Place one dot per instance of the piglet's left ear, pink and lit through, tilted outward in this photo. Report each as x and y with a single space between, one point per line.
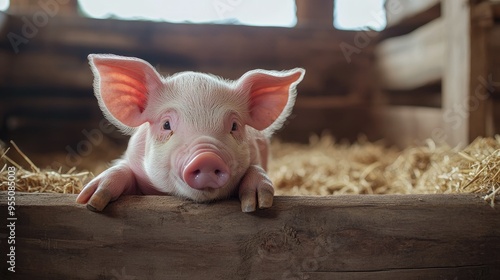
122 86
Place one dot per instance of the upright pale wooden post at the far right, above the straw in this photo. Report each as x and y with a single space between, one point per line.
466 102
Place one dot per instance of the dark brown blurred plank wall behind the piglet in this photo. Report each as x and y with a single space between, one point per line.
45 80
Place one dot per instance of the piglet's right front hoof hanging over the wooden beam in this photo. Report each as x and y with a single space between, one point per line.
256 189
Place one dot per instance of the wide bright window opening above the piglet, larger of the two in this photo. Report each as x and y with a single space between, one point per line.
254 12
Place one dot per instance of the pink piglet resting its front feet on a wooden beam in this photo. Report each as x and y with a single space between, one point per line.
194 135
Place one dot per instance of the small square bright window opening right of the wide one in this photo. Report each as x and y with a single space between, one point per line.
359 15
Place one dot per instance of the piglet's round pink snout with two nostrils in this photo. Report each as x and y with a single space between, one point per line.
206 170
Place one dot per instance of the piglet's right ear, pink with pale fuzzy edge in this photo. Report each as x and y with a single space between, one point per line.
271 96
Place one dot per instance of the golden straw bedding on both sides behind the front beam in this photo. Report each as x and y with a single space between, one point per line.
325 167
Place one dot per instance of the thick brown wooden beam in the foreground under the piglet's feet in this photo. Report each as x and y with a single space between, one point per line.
340 237
